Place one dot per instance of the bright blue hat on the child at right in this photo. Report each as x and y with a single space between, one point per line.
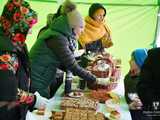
139 56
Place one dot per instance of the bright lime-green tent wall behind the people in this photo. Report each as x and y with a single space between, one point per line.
133 23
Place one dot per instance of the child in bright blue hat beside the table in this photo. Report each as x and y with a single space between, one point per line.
130 82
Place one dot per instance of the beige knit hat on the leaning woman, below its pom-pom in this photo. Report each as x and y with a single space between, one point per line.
75 19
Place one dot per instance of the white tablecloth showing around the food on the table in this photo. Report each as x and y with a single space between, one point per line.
124 111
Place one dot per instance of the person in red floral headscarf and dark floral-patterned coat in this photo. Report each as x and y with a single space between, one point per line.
16 19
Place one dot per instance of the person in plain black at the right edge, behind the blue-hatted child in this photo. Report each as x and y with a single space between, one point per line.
148 87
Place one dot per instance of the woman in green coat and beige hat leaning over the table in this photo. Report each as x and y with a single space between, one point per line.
53 49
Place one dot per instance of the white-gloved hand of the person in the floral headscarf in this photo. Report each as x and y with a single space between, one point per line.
41 102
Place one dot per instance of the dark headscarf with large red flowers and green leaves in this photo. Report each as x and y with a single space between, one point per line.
16 20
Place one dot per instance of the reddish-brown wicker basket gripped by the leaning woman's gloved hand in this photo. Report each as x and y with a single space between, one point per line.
113 72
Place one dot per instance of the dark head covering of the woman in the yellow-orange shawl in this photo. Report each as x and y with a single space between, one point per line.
94 7
